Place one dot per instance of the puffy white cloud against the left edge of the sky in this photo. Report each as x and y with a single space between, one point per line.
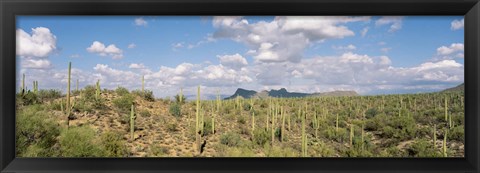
40 44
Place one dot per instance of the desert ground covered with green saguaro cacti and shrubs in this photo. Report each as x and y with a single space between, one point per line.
96 122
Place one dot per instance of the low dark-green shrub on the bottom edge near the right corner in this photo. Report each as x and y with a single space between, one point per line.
423 148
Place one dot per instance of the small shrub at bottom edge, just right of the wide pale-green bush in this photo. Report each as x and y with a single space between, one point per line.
113 144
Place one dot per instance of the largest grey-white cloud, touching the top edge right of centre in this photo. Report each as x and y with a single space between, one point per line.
284 38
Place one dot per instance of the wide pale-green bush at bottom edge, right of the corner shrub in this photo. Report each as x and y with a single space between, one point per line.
79 142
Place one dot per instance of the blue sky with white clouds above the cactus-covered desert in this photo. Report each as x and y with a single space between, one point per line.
367 54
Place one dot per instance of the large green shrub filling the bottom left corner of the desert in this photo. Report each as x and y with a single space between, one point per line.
36 134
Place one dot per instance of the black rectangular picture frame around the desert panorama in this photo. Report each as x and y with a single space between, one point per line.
10 8
